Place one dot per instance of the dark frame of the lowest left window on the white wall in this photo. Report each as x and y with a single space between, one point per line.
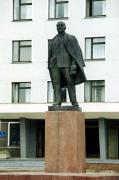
18 85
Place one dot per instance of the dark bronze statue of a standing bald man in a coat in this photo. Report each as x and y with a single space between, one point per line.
65 64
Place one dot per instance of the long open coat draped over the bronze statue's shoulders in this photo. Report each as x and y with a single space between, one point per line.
73 48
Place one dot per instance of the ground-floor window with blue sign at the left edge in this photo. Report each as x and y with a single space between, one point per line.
9 139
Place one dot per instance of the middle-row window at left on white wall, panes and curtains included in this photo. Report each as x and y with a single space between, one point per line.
21 51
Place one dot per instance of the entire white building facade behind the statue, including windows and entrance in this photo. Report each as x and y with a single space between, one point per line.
25 85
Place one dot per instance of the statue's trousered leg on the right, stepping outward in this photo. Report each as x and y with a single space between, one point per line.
70 86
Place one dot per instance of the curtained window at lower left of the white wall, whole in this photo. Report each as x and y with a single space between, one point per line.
21 92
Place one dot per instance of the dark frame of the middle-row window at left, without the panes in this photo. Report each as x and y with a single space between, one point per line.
19 47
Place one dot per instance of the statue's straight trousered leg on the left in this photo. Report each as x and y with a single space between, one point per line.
56 85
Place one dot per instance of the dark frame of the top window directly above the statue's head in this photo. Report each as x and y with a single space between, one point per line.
55 12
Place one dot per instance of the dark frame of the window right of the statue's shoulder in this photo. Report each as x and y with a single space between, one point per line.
92 43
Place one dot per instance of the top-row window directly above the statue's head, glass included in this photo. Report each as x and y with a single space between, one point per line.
58 8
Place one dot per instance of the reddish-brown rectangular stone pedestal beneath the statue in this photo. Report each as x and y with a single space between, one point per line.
64 141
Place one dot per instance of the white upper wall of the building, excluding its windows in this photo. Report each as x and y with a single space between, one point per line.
39 30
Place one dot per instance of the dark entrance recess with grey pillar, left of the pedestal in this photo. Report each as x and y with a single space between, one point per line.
32 138
